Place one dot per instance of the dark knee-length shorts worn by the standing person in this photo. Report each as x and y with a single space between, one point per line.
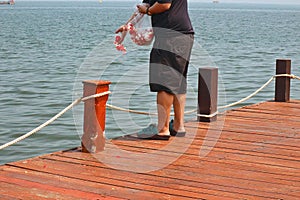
169 60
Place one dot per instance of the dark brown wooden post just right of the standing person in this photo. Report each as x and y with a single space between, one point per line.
207 94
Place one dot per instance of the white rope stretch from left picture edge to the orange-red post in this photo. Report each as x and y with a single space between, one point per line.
74 103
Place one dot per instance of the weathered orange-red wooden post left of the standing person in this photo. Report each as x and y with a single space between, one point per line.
93 139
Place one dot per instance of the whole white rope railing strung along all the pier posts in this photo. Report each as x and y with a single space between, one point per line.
82 99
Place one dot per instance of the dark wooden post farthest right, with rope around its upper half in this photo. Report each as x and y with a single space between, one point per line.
282 84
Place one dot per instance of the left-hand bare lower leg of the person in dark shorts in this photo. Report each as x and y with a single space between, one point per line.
164 105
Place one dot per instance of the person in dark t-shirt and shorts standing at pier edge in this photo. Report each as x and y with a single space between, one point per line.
169 60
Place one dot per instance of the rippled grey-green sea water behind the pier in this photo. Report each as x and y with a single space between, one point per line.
48 48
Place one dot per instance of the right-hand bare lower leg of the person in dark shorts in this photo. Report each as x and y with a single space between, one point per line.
178 105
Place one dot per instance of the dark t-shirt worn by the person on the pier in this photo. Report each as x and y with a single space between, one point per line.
176 18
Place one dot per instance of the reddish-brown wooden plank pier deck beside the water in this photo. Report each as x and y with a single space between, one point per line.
254 154
